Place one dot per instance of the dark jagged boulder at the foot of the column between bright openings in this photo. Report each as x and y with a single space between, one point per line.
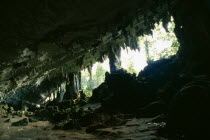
121 91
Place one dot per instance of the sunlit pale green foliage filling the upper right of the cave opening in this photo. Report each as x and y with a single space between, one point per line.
161 45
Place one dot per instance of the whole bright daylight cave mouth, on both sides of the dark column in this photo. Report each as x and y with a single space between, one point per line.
160 45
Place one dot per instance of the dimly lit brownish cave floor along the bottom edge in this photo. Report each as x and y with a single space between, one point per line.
134 128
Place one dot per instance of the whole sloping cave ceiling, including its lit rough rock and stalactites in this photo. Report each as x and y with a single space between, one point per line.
43 41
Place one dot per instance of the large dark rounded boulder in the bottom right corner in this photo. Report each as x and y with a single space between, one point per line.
189 110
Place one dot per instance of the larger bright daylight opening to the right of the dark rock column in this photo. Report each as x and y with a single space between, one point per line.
154 47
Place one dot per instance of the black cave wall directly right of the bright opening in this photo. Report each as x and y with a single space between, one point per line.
192 30
